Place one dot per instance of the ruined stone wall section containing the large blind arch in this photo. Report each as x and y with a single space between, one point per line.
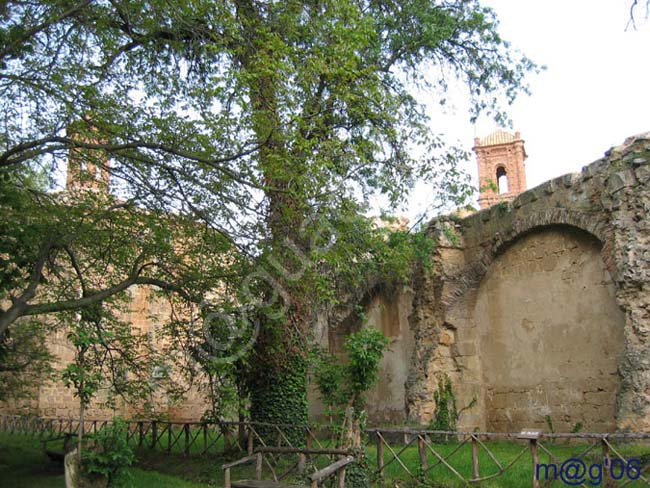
539 308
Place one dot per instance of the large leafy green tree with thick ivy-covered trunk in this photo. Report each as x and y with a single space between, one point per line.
269 122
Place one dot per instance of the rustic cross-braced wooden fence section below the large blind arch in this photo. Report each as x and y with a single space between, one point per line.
518 459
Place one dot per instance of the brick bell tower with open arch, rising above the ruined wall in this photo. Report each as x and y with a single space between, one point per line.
501 170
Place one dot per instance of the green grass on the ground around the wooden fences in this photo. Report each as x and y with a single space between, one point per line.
22 464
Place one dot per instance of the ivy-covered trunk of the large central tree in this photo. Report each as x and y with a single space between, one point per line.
278 377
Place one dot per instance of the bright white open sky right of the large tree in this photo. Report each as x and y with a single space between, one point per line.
594 93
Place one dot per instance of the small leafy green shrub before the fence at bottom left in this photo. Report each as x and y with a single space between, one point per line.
111 454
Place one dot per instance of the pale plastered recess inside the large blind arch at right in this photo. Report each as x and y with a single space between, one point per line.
550 334
